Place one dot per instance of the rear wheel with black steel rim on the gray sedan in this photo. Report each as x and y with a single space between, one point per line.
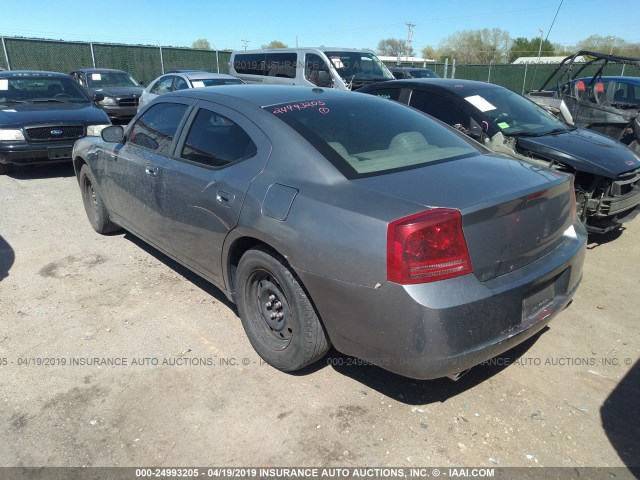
266 289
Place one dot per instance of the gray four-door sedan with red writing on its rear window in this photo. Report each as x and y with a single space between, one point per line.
335 218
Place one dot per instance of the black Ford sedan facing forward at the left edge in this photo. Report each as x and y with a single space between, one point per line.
42 114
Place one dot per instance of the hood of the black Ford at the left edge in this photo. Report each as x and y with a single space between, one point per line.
51 113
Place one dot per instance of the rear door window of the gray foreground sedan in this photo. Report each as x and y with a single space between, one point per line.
216 141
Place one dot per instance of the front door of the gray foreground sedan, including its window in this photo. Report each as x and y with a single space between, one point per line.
134 168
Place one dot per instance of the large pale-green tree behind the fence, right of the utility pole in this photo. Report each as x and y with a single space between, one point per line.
477 46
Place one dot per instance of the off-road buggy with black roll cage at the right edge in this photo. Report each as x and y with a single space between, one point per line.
587 94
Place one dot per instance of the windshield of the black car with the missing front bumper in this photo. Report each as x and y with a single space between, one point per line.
510 113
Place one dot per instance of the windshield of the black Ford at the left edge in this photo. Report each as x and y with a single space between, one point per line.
36 89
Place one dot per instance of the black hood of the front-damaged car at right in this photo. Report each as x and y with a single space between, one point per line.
585 150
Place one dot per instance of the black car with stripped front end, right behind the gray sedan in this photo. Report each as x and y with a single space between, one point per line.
606 173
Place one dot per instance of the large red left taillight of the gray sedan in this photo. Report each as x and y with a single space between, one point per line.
427 247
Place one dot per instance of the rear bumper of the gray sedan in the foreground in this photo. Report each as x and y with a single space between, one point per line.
440 329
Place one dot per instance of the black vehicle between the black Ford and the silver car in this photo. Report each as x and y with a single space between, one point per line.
121 92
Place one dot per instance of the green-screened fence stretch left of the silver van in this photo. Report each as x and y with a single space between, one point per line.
143 62
